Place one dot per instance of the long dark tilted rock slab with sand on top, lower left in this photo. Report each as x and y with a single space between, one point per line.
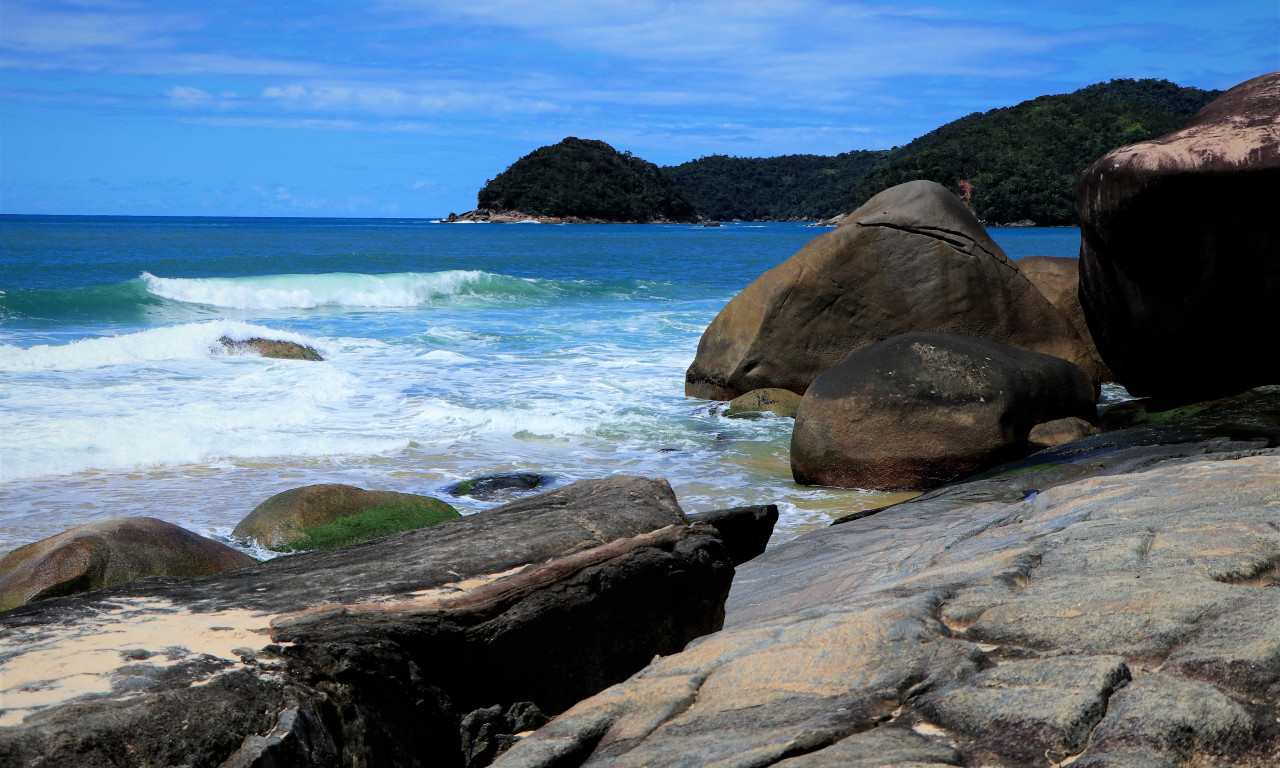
367 656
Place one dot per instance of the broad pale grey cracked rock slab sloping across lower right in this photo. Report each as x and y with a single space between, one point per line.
1113 609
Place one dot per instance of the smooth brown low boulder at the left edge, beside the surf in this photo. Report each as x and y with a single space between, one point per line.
107 554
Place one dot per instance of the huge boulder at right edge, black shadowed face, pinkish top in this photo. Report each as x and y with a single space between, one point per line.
1181 252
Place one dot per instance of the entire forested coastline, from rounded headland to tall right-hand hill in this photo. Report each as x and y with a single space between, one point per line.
1013 166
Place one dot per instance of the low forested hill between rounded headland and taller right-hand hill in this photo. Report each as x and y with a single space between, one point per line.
772 189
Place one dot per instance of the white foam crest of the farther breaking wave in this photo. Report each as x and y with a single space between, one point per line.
341 290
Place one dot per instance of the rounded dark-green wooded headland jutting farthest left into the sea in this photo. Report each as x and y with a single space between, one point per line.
588 180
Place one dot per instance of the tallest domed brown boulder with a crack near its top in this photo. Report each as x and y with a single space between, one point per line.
912 259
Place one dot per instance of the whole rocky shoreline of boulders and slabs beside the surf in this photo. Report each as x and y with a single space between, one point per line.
1075 587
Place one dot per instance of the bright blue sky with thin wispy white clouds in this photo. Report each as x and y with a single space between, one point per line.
404 108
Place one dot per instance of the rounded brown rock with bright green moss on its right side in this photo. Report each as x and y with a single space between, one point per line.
332 515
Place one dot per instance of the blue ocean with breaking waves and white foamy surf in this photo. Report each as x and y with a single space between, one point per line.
451 351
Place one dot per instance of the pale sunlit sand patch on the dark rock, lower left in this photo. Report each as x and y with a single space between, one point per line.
54 665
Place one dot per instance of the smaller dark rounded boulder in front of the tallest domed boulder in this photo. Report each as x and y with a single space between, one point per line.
925 409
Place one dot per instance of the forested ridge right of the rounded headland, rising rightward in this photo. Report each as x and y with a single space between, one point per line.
1012 164
